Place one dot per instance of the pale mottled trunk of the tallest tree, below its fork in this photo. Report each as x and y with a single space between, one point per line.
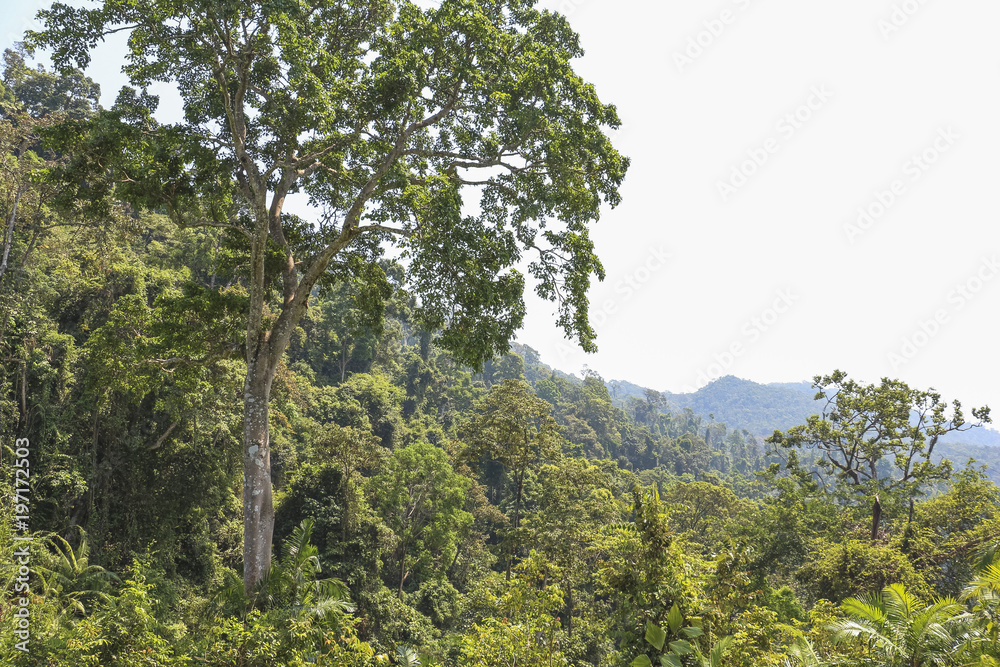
258 509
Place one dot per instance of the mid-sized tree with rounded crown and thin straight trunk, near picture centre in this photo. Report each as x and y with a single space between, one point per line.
514 428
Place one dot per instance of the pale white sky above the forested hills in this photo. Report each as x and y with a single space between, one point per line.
813 187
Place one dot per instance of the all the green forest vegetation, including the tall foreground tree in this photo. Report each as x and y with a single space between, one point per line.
434 503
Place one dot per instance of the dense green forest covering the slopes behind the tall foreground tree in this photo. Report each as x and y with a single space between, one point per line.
434 502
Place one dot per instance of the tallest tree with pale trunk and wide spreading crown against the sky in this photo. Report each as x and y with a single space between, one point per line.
386 114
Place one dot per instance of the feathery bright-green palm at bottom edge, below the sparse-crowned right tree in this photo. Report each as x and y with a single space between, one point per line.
897 630
